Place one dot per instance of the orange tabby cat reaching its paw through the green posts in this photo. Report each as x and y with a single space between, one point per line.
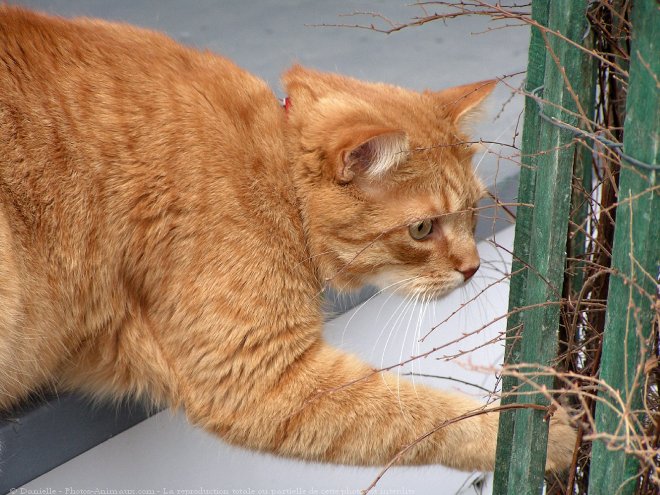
166 229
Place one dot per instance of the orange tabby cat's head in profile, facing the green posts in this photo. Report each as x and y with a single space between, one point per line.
385 180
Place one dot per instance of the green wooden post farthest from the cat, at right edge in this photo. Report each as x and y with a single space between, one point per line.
637 237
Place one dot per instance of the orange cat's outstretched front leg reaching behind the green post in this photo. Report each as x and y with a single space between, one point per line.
328 406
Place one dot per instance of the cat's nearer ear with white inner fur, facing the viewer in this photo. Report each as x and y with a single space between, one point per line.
370 152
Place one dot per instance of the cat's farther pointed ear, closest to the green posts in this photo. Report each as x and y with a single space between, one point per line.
461 104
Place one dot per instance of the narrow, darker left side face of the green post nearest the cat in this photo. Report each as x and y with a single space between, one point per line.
530 142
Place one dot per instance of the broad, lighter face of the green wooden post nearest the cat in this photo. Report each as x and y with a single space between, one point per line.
547 239
